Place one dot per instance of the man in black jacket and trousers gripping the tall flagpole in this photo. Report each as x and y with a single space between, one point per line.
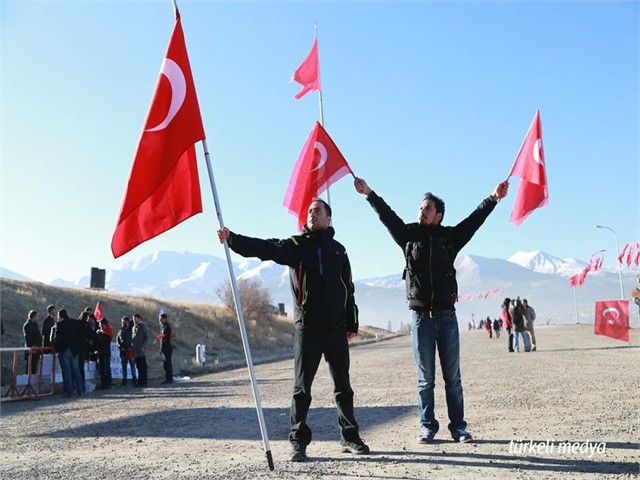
325 315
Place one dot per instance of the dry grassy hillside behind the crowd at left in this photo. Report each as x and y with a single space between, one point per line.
193 323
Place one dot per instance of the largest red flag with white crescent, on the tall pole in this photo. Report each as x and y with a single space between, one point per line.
164 187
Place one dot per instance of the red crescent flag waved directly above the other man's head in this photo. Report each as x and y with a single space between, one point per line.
319 165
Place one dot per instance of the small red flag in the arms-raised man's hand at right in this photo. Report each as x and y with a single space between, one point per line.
530 167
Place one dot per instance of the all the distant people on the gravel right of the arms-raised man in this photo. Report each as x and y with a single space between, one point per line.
517 318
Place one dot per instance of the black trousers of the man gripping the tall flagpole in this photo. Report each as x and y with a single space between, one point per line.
308 349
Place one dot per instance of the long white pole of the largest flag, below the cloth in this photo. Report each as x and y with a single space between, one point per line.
243 329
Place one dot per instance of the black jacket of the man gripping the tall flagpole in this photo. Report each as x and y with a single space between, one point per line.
319 272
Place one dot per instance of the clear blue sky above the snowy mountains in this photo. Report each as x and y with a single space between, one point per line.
419 96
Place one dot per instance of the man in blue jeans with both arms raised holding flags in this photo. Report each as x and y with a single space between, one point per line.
430 250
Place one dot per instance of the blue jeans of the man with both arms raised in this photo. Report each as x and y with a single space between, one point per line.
427 334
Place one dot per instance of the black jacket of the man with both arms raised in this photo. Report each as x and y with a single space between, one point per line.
430 252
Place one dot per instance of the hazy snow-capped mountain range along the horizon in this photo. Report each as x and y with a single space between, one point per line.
537 276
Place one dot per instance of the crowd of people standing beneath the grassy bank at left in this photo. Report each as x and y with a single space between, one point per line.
89 339
